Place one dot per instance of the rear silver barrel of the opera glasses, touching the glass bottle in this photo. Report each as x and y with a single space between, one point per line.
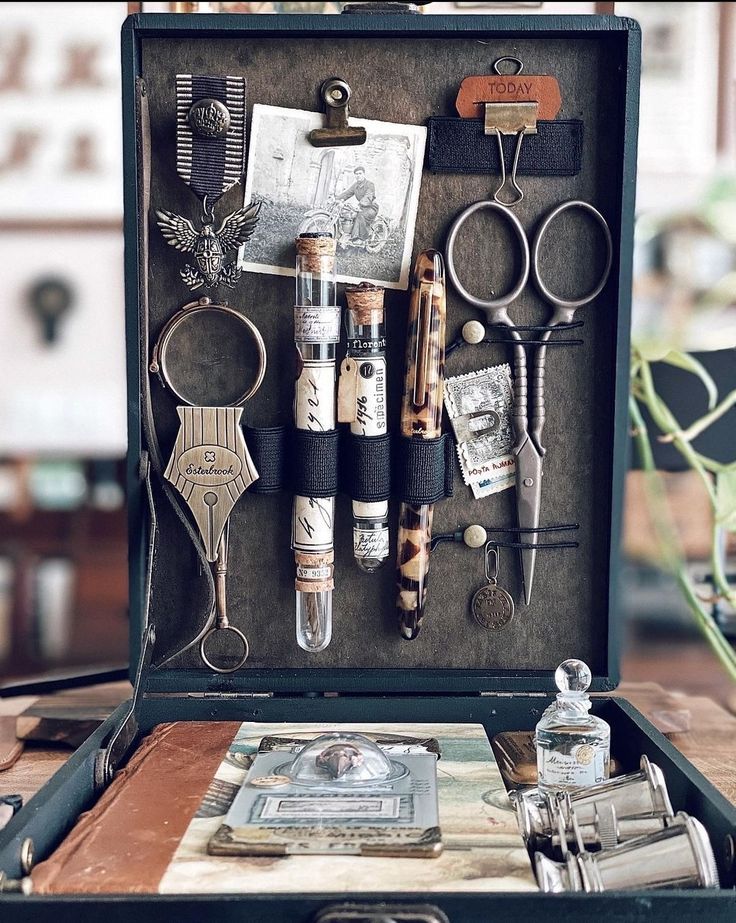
601 815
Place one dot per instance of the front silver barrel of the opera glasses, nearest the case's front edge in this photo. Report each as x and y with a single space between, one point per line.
678 856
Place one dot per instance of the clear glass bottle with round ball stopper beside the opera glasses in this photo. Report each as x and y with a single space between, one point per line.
573 746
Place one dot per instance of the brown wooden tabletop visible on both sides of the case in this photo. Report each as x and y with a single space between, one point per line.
703 731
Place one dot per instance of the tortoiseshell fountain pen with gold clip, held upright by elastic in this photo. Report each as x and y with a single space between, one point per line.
421 416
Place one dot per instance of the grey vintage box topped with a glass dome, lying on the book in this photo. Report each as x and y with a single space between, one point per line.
339 793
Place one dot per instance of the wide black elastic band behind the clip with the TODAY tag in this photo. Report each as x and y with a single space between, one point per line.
462 146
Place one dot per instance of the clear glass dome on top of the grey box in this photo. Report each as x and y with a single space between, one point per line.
342 760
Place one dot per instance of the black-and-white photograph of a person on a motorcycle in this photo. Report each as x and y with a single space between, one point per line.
367 195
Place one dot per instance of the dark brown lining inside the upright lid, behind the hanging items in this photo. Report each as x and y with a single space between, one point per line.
406 80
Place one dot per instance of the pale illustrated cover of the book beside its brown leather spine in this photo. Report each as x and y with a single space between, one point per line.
483 849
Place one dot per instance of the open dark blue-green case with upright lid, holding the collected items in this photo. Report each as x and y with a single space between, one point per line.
401 68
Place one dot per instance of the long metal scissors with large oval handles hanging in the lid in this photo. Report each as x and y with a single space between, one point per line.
528 408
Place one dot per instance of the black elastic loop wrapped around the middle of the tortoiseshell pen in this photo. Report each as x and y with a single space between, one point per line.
424 469
